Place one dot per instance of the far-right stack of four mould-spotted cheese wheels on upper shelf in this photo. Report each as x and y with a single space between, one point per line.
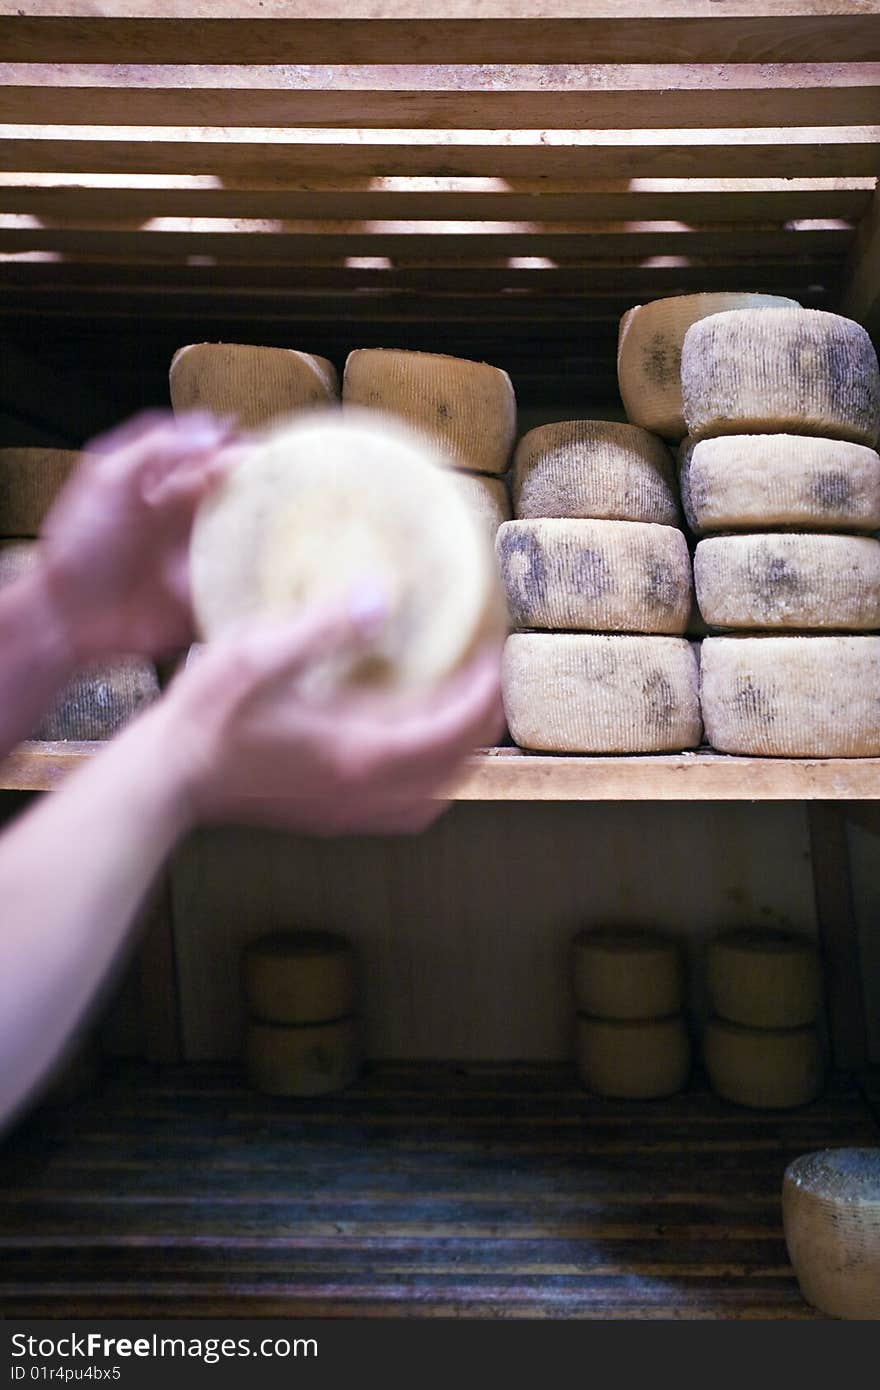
782 479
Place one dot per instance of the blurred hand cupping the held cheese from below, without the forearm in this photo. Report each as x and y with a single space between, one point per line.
254 749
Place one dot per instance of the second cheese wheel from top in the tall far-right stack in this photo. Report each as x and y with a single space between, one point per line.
753 483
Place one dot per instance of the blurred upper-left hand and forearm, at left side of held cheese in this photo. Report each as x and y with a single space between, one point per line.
111 576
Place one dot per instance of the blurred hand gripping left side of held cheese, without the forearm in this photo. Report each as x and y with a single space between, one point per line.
116 544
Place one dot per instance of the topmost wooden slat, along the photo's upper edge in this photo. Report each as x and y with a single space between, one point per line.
359 31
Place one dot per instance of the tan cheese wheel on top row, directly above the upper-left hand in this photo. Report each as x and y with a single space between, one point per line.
258 386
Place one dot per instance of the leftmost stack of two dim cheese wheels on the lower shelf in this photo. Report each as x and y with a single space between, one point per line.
302 1036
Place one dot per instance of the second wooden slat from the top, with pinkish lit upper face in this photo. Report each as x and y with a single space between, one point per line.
523 97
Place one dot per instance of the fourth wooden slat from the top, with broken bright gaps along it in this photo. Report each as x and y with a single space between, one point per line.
79 198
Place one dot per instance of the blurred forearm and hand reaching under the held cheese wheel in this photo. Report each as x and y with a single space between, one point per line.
231 740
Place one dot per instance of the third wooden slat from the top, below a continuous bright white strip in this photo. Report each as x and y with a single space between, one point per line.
799 152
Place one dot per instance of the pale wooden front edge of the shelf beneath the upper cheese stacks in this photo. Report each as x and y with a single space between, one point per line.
510 775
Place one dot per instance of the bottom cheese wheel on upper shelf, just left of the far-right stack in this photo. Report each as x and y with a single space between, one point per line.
571 693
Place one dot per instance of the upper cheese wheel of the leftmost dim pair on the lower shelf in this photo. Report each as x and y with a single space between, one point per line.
300 978
